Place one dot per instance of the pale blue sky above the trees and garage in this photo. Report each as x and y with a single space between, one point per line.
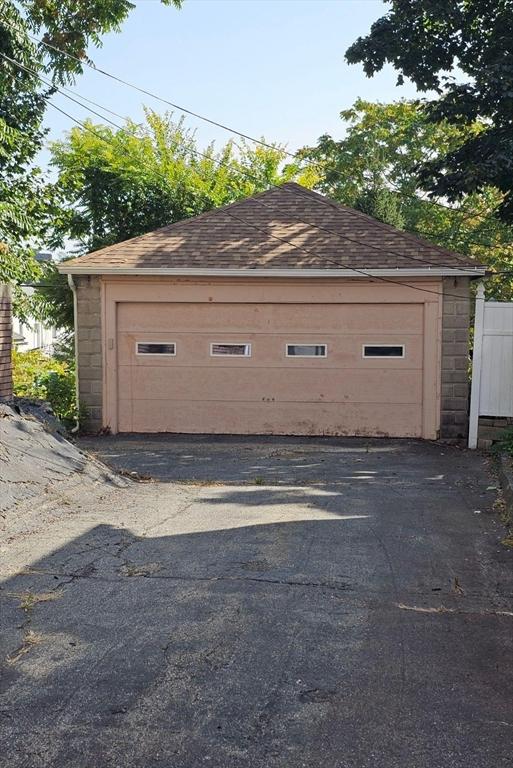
272 68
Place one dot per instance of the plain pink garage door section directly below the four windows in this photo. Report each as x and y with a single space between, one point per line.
220 384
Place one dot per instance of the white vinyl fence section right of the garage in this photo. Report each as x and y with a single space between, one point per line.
492 367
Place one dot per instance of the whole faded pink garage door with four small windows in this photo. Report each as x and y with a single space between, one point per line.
268 392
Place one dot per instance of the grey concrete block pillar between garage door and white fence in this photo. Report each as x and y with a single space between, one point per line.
455 361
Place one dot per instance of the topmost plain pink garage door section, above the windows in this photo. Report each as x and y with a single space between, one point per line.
278 318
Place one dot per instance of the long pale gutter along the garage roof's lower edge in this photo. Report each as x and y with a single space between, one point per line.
299 273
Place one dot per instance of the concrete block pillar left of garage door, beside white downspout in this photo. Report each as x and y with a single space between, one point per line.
90 350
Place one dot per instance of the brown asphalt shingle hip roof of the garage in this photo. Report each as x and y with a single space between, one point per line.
287 227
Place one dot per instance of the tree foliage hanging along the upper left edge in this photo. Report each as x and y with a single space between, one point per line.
27 203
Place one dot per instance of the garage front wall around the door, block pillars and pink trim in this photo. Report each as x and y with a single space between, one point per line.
97 295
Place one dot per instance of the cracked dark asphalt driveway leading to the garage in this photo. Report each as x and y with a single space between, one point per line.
266 603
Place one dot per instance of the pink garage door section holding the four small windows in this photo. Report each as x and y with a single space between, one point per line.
343 350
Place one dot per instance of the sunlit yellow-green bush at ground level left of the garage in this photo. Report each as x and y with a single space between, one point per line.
38 376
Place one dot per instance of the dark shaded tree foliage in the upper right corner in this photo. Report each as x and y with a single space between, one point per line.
425 40
